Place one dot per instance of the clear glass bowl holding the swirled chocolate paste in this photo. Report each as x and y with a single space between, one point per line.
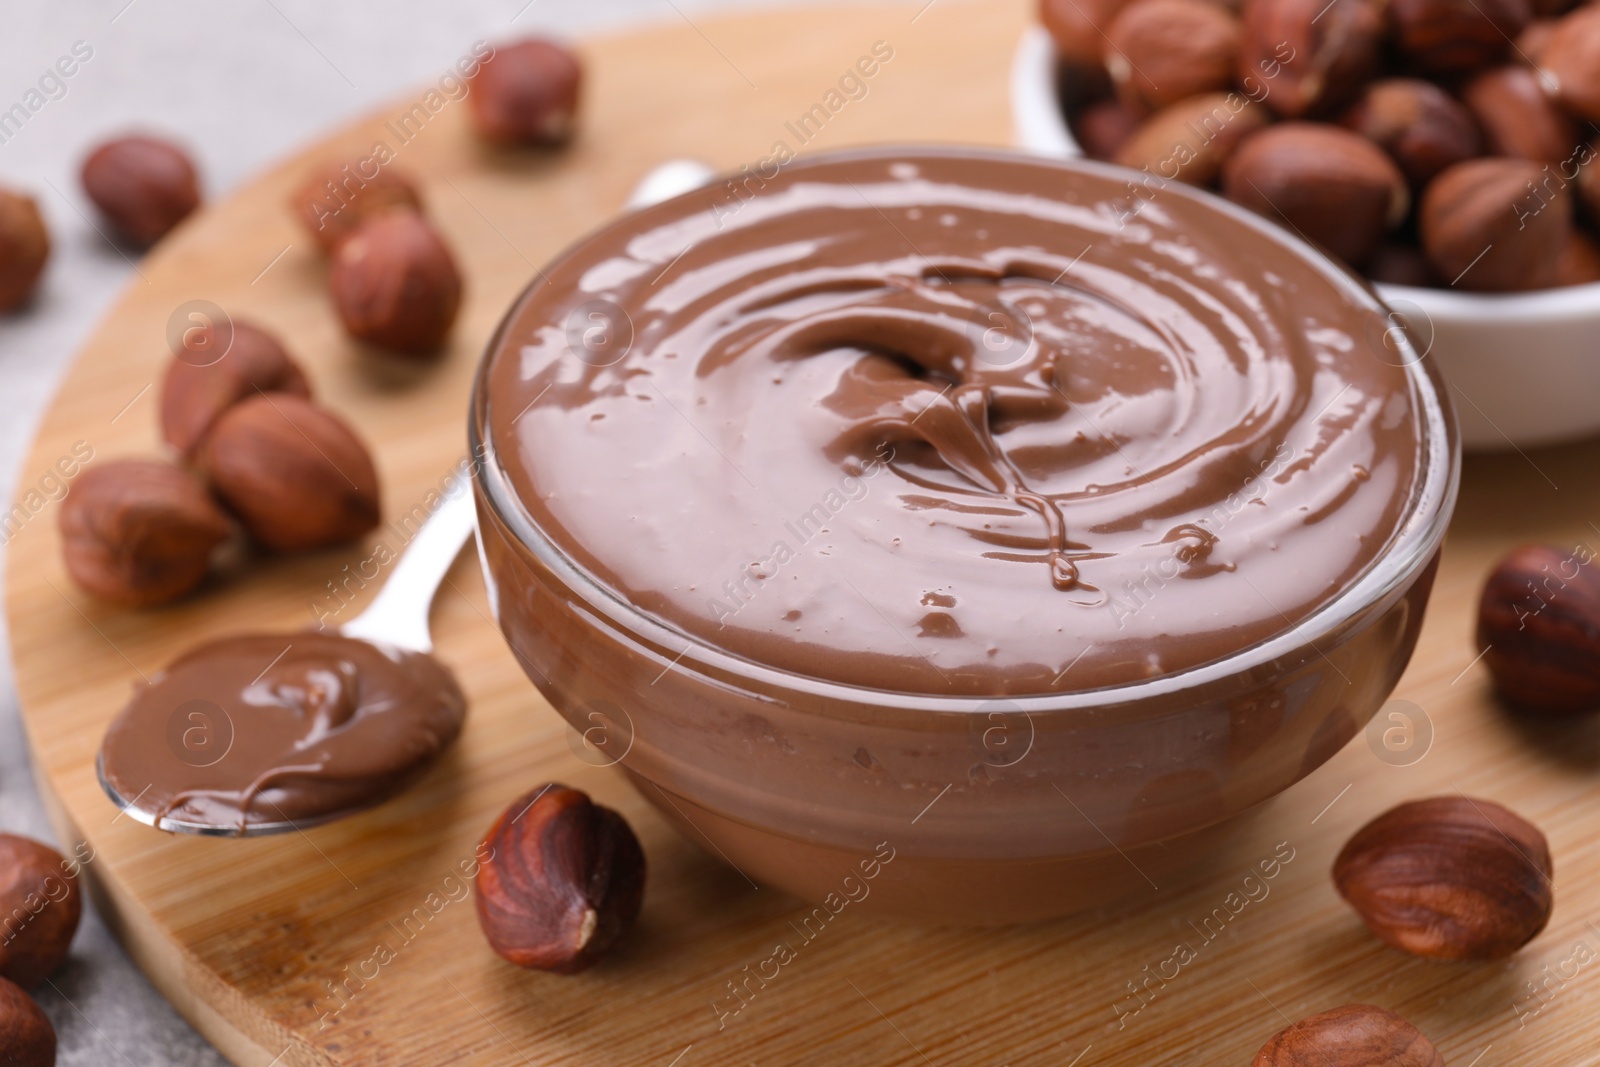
961 810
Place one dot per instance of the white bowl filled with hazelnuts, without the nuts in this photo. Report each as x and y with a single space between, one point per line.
1524 369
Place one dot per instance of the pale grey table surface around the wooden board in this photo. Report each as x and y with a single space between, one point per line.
244 84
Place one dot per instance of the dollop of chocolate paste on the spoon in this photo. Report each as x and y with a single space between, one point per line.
281 727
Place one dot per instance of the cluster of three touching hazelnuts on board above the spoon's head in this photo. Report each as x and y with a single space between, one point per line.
255 454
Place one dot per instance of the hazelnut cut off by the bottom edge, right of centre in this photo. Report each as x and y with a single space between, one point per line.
1356 1036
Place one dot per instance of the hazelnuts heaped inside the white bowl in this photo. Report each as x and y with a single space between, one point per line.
1439 143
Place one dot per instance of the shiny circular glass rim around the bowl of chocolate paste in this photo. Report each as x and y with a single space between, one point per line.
1412 546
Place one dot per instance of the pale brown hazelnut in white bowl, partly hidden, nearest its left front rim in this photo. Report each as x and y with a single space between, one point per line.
1191 140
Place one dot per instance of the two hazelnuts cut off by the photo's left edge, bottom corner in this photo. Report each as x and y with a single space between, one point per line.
41 906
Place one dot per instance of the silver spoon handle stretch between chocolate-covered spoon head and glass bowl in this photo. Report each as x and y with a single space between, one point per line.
399 613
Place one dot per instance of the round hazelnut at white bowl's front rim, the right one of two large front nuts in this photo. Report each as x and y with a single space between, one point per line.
1495 225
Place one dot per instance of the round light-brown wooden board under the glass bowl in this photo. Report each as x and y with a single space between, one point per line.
354 943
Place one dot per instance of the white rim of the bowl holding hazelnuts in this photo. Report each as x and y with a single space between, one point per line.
1042 127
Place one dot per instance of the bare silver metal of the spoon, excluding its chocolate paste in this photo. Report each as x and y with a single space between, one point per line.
399 615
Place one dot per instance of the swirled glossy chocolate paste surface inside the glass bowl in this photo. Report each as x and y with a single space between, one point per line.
934 425
